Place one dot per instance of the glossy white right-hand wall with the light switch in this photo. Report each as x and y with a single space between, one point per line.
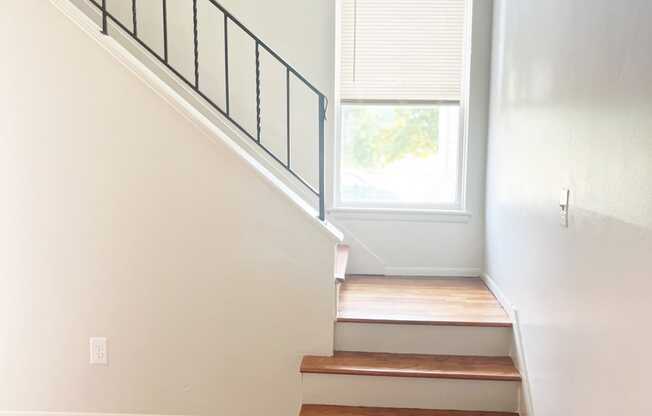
571 106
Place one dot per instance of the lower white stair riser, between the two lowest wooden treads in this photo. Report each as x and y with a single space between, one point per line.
420 393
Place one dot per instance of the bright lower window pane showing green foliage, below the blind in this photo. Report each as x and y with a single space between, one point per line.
396 155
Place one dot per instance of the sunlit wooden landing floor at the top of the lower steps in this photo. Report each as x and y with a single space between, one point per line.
419 300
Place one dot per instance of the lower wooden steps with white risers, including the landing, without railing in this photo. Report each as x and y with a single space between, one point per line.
414 346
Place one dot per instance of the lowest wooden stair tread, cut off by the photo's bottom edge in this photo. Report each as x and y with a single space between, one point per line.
327 410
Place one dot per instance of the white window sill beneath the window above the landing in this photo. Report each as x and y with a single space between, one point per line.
400 214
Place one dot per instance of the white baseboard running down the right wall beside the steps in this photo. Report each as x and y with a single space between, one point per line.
518 354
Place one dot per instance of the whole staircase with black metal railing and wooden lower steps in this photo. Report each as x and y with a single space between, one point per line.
403 346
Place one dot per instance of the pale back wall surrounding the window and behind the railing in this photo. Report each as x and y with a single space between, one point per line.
304 34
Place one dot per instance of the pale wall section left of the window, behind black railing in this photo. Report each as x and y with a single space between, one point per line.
300 32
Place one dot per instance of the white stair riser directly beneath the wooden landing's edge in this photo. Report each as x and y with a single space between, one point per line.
423 339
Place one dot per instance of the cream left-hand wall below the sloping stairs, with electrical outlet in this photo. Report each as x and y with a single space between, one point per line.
121 218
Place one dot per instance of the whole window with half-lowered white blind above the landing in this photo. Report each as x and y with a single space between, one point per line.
401 82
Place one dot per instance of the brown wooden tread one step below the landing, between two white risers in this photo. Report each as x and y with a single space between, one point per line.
413 365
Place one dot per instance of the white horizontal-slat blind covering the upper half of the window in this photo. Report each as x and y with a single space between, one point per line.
402 50
